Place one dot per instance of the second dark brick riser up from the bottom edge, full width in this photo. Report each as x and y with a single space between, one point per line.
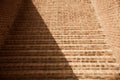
50 68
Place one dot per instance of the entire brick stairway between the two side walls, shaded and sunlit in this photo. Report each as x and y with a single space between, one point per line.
57 40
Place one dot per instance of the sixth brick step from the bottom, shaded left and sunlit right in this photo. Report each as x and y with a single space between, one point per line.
61 41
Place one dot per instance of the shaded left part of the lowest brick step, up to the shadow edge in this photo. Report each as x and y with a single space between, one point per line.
40 74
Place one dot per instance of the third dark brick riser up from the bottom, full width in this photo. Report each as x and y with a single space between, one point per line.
56 60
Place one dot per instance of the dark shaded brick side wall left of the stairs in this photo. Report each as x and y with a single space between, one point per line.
8 11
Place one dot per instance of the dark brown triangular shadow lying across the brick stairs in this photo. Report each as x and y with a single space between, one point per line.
42 45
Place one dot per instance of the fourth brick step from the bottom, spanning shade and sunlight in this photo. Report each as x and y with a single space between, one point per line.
53 53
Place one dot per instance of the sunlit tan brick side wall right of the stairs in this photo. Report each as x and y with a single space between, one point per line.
108 13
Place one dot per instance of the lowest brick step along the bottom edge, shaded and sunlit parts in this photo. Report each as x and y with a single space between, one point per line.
60 76
